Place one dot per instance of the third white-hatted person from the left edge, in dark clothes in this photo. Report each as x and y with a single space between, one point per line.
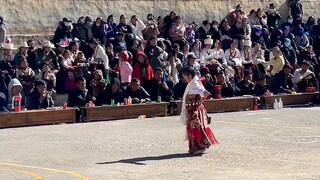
47 55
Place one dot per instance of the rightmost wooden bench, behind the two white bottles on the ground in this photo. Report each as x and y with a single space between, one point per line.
289 99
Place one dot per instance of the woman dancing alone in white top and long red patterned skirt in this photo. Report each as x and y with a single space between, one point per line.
194 114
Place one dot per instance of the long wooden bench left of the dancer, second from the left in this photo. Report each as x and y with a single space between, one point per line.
103 113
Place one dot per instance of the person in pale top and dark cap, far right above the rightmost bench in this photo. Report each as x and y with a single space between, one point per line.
304 77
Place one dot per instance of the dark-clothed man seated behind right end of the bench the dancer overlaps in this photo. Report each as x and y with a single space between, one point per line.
246 86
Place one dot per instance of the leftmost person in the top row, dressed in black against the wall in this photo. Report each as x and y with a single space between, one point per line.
63 30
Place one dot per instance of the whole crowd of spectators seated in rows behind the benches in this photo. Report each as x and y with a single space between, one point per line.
103 60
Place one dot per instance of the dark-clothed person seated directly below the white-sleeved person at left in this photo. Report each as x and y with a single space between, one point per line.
97 83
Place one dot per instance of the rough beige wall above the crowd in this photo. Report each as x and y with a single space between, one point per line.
42 16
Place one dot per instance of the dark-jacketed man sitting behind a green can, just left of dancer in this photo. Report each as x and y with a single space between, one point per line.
158 87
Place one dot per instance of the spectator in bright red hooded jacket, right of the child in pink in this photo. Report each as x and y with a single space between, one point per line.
142 69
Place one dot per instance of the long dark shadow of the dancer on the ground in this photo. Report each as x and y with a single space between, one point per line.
141 160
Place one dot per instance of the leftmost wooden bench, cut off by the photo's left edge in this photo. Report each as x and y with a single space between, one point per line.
37 117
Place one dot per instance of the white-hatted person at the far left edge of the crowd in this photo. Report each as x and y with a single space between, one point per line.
7 64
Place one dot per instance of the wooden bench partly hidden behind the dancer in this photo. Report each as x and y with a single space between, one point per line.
220 105
